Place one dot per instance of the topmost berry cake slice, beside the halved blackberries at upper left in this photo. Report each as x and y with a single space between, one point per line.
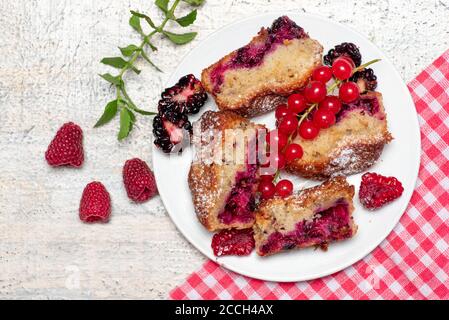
255 78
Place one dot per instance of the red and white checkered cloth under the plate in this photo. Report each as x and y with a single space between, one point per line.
412 263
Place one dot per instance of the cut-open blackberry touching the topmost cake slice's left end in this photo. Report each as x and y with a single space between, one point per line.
187 96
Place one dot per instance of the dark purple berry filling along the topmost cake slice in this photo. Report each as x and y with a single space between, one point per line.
252 55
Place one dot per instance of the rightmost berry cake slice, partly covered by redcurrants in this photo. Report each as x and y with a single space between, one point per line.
352 145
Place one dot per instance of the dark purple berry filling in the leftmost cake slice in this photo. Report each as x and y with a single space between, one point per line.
241 203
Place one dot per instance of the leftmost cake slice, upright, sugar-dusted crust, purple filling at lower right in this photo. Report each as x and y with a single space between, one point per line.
223 177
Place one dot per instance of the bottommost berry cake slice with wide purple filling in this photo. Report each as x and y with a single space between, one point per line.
313 217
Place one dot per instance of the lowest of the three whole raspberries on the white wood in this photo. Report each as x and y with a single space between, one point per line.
95 205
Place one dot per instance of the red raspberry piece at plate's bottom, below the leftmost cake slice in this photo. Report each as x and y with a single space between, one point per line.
233 242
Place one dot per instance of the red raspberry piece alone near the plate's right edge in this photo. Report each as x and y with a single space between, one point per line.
377 190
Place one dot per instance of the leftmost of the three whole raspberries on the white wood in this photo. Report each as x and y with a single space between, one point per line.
66 148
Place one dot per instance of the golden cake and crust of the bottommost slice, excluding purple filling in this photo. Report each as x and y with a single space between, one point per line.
281 215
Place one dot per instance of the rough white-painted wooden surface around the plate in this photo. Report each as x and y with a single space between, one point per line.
50 52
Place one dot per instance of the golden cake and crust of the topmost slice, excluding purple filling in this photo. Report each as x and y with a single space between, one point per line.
273 88
